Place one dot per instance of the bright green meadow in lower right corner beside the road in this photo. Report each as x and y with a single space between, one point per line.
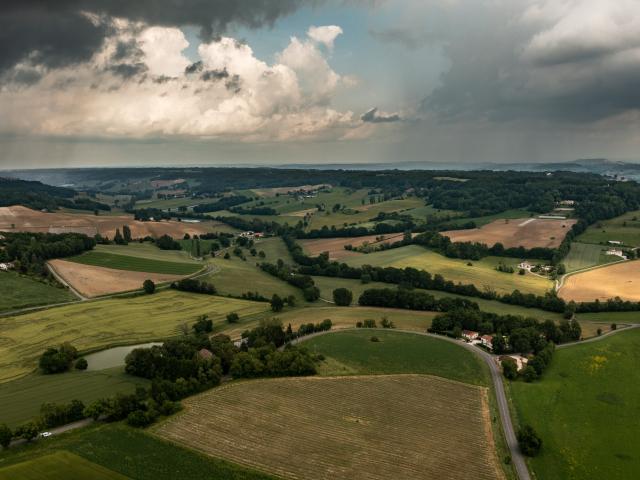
585 409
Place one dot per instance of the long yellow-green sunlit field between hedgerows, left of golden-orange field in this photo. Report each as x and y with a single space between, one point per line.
482 273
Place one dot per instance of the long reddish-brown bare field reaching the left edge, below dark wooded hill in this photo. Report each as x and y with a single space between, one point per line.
22 219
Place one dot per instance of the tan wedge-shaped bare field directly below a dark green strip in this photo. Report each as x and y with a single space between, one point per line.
92 281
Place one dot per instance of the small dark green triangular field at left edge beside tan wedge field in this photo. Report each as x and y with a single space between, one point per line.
21 292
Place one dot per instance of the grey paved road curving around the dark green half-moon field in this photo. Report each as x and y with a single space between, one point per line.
517 458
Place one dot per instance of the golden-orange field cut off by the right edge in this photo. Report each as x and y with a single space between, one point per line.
619 280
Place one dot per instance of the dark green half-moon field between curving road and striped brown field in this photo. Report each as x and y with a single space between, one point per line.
353 353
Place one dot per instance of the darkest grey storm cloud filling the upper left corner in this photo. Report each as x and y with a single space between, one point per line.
58 33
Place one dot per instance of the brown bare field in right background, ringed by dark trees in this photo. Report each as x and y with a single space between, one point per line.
519 232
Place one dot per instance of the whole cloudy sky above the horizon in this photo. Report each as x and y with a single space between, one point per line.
195 82
